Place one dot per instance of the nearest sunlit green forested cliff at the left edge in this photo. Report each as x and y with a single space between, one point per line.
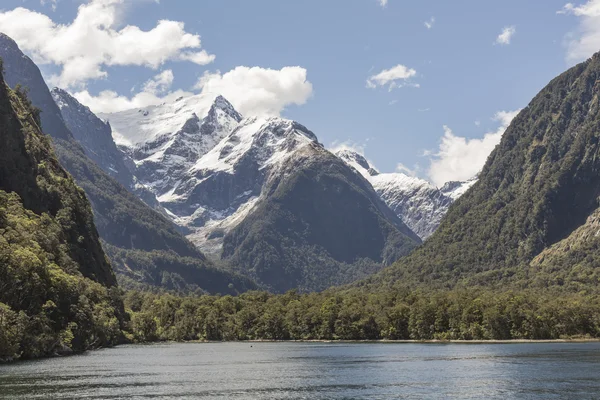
56 284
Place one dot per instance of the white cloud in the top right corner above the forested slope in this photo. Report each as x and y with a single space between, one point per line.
586 41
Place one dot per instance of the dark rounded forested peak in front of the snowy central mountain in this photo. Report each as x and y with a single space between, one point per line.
320 225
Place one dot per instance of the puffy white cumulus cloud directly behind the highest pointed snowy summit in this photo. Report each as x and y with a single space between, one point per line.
258 91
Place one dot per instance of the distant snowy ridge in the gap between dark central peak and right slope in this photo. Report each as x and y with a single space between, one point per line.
419 204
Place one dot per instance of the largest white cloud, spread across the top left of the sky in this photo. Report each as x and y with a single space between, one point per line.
91 42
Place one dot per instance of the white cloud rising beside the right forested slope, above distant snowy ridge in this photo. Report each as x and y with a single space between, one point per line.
459 158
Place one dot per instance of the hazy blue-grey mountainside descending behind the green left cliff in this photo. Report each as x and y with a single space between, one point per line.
145 247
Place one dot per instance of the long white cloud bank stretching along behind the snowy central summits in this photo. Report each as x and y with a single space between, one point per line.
252 91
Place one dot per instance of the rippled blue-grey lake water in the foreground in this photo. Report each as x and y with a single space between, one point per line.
313 371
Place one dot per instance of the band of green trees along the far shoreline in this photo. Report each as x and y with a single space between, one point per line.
360 315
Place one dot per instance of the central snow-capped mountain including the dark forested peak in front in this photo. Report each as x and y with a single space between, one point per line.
221 176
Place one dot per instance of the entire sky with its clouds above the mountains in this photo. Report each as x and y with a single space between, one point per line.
426 88
